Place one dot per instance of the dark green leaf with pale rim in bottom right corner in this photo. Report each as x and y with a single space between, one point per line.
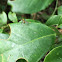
55 55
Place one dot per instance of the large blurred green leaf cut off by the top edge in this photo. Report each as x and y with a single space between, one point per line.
28 6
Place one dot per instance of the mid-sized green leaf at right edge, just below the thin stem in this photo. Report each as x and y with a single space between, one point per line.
54 20
